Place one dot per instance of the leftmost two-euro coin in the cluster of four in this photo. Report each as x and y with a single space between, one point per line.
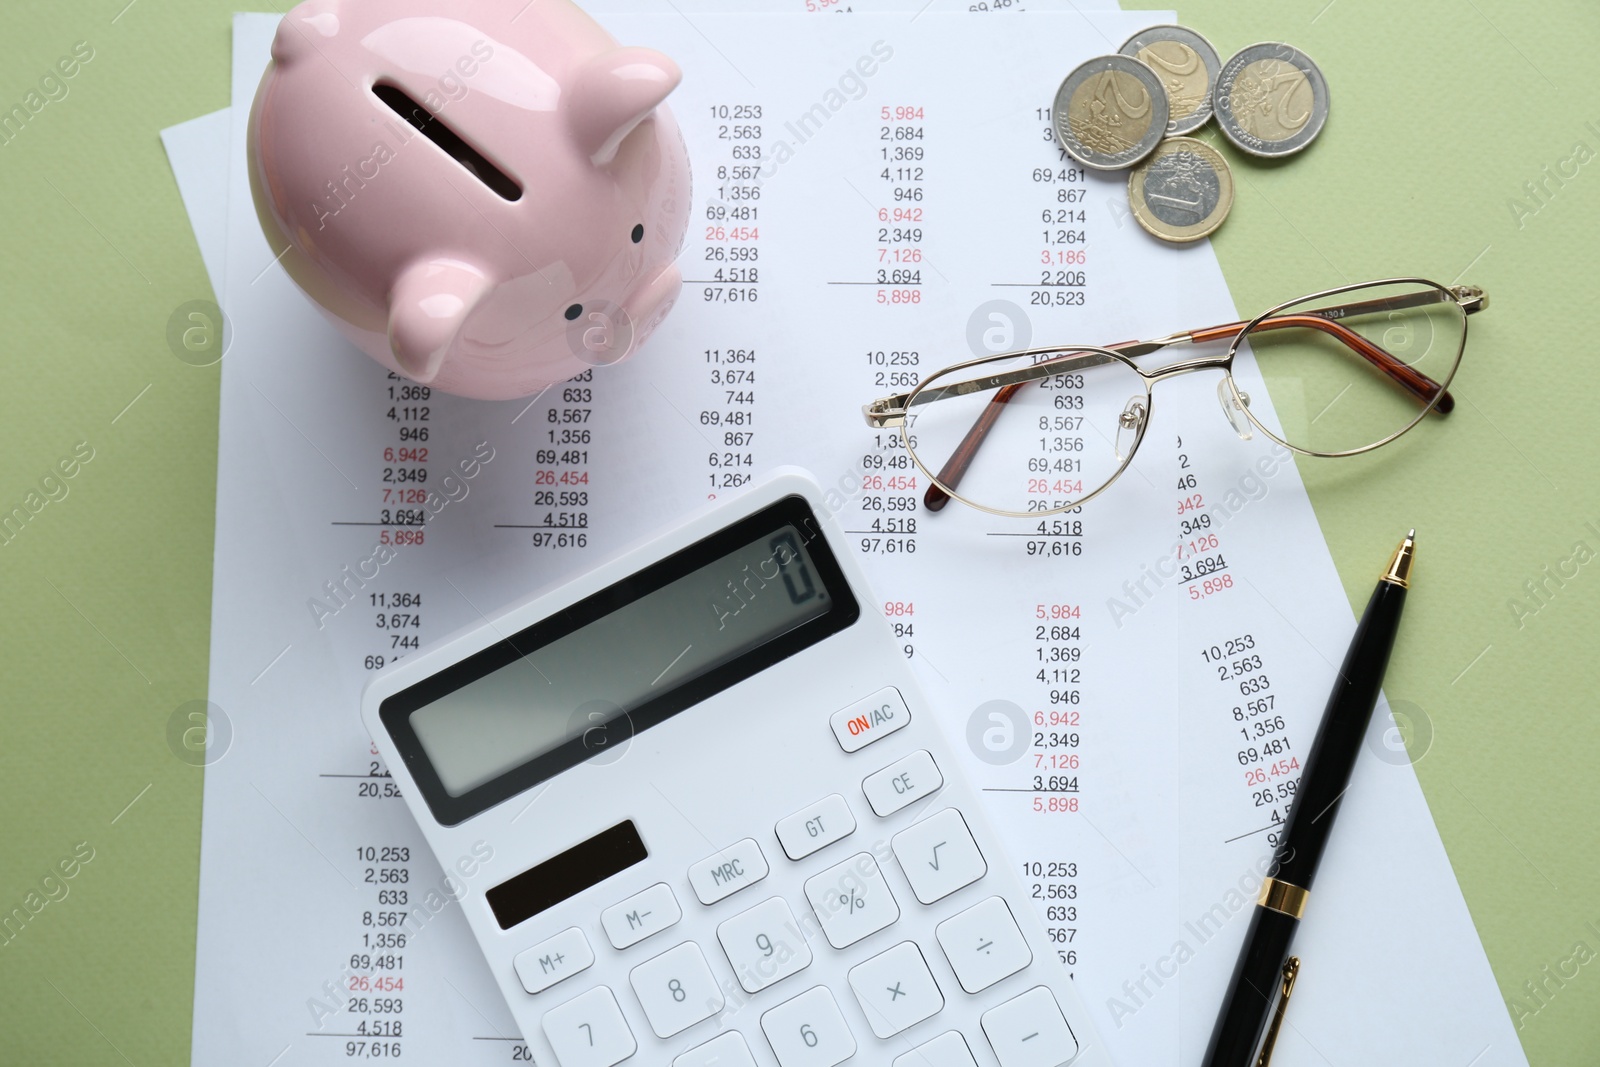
1111 113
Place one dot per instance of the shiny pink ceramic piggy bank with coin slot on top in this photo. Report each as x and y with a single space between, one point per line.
486 196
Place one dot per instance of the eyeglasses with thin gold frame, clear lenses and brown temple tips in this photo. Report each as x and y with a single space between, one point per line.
1044 431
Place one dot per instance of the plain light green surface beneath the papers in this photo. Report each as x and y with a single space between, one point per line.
1442 114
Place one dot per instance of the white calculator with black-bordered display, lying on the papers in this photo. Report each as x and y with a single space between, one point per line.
702 817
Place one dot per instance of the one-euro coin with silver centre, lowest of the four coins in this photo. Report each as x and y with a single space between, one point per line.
1183 193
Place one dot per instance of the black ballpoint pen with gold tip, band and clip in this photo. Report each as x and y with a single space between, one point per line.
1266 972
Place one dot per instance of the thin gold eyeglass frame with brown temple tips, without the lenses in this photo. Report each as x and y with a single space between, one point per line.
897 410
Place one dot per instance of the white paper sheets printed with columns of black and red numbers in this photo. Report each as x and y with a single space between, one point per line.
1137 684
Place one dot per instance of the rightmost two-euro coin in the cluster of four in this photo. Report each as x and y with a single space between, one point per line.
1271 100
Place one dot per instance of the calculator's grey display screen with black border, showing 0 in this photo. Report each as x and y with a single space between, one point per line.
583 682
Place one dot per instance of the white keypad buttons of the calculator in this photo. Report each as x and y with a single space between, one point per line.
852 901
